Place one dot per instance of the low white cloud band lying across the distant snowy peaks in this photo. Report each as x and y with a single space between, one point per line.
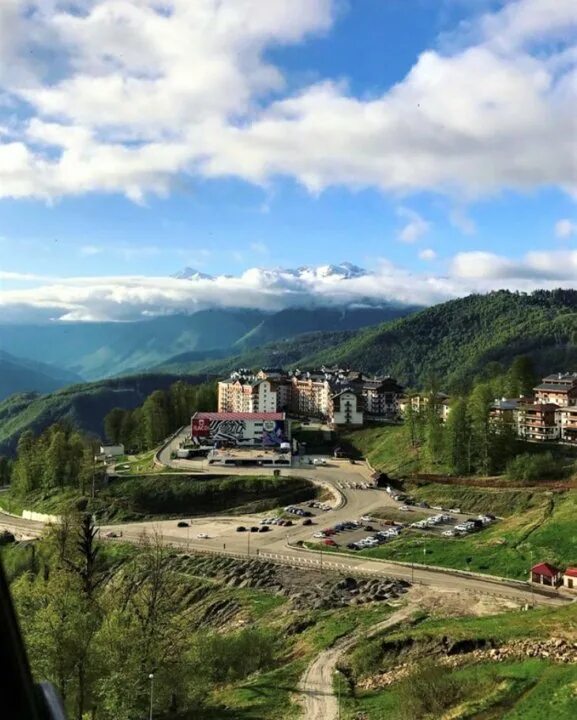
132 298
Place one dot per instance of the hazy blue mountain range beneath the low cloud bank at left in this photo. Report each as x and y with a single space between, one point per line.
94 351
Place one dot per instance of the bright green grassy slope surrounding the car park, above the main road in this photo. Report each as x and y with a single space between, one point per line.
536 520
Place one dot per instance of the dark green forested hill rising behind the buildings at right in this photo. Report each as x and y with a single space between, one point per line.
455 341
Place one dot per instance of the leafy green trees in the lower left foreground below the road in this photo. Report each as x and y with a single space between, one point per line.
97 624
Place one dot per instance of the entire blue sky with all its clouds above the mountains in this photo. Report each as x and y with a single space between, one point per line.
431 142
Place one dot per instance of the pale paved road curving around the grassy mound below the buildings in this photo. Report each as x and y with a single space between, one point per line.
279 543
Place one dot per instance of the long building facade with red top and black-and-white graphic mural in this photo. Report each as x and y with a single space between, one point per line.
238 429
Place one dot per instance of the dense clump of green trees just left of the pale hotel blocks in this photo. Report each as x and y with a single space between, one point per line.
161 413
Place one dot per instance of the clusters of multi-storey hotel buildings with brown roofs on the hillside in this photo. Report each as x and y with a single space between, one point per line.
345 397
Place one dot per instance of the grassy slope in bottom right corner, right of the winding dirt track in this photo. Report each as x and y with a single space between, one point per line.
512 690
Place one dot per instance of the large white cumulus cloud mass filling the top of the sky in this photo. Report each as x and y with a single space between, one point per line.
127 96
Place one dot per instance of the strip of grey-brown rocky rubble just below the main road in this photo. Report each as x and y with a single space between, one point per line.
306 588
